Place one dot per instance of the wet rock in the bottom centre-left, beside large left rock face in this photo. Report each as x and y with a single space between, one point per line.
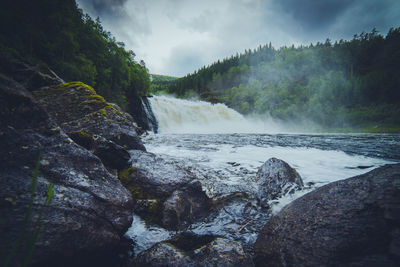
167 194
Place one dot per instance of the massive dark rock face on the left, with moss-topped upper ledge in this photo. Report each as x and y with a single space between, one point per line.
90 209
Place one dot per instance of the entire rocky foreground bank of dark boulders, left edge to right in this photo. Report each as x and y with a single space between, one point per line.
100 173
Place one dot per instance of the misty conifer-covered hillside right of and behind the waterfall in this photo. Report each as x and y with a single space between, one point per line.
354 83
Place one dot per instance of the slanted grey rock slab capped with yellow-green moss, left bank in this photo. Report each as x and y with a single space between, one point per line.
76 107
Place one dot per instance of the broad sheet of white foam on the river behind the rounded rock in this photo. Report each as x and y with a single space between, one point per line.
315 166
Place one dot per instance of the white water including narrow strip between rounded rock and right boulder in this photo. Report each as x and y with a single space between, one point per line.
315 166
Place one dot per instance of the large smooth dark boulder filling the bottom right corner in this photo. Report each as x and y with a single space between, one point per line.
352 222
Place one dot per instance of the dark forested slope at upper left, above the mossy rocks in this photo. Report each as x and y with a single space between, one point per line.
58 34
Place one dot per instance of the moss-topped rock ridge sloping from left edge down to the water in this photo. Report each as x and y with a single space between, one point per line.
92 122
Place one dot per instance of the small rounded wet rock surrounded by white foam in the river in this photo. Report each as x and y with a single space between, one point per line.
275 178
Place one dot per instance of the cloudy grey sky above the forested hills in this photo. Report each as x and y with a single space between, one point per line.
176 37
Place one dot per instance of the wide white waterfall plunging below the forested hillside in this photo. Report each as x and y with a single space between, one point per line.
186 116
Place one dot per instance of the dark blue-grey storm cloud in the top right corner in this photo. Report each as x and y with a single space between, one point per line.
339 17
